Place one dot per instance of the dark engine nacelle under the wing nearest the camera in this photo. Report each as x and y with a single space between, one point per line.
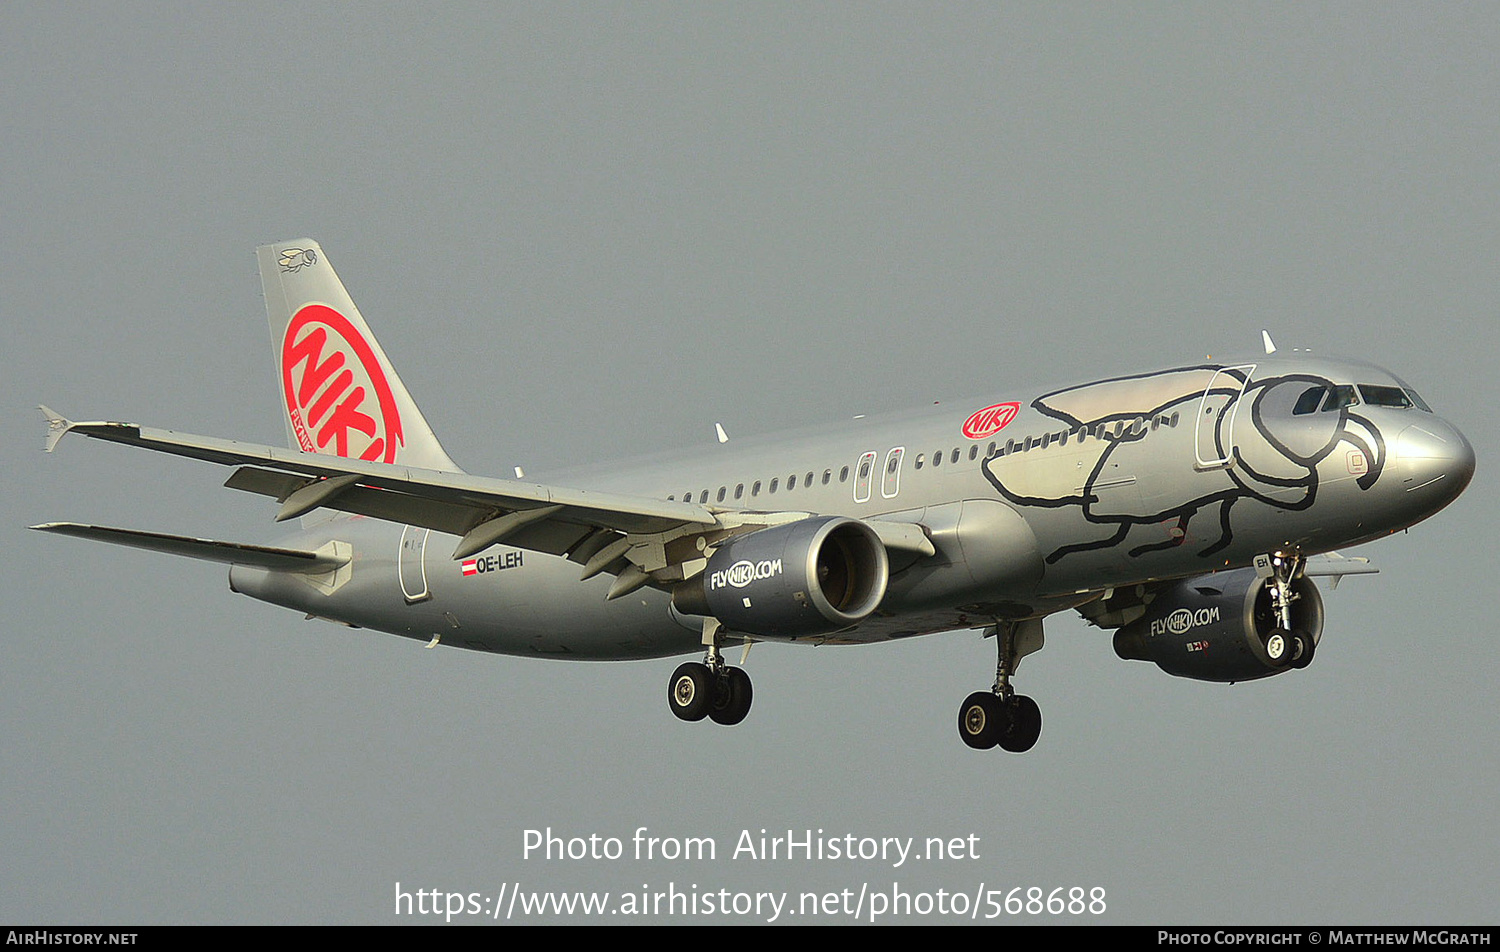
806 578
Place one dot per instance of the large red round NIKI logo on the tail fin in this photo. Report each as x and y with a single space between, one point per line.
337 394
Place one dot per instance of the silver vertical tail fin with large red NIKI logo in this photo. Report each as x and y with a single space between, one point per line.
340 392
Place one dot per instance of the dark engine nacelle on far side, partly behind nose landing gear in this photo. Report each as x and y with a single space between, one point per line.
1216 627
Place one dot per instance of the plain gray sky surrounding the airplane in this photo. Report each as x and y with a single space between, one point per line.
590 232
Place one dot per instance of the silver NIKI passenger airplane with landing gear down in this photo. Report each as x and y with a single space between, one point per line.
1189 510
